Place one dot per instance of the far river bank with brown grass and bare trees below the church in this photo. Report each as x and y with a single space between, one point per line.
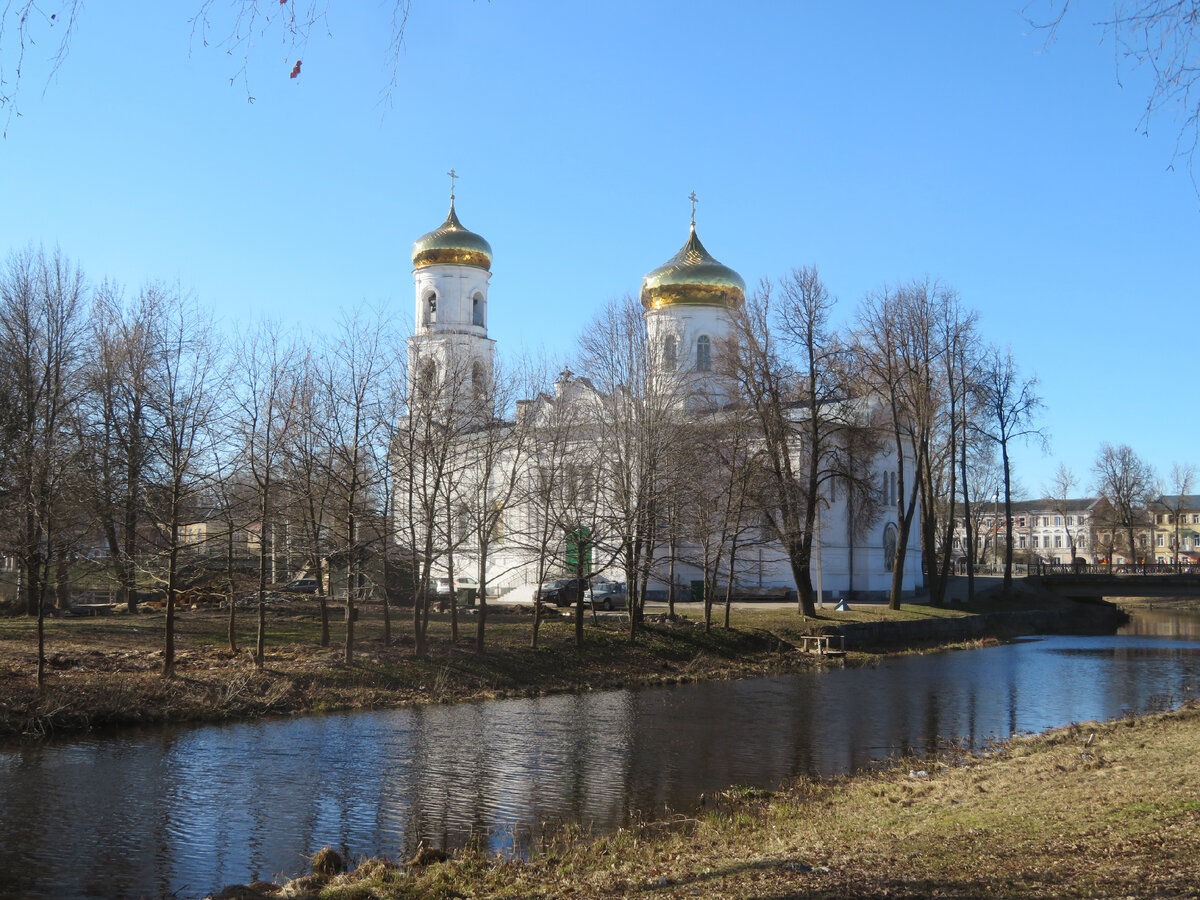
104 673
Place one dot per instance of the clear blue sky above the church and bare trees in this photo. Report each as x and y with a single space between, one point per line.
877 141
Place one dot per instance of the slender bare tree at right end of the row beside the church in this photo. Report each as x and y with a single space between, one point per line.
1011 406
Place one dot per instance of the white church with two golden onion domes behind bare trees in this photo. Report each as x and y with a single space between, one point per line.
688 303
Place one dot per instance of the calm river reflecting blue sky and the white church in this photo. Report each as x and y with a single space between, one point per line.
182 812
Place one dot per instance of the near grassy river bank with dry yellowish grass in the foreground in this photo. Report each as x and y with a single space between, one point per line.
1089 811
